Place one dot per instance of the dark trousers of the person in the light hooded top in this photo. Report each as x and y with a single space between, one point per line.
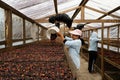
92 59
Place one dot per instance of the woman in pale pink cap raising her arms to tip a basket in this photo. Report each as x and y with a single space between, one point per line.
74 44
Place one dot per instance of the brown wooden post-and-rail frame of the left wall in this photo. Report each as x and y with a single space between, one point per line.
8 25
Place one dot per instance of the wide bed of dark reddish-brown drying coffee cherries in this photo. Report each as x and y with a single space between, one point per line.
38 61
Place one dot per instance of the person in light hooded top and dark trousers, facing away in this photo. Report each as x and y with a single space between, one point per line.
93 45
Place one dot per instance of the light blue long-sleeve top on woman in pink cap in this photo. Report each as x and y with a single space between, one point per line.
74 50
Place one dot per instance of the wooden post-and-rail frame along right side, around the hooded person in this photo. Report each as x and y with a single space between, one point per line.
105 41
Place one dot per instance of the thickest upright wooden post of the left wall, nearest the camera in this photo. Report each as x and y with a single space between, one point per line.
8 28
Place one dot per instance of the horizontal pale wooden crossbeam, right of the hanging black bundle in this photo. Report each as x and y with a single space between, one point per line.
97 21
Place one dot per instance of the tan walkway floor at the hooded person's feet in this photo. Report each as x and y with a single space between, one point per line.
84 74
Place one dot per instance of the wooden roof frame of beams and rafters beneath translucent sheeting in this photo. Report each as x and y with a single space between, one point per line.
78 9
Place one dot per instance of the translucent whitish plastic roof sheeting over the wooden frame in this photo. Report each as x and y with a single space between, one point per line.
94 9
